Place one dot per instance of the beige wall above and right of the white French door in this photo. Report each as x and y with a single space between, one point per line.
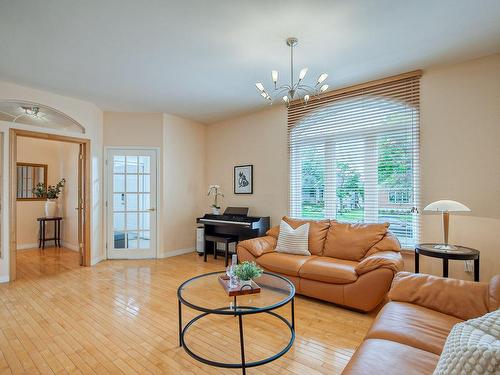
181 159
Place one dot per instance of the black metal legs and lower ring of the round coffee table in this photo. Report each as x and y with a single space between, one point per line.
243 364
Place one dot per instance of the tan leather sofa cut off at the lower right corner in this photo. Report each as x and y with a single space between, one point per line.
408 334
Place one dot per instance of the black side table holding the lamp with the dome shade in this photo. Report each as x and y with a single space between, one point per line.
460 253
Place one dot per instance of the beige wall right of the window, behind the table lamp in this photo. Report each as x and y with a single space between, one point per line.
460 135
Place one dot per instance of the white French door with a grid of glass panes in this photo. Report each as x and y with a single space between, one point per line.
131 203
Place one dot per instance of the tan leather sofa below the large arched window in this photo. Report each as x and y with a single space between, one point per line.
350 265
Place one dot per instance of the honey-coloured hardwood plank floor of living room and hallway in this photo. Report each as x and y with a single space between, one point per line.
121 317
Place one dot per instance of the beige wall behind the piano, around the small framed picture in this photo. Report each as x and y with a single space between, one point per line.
258 139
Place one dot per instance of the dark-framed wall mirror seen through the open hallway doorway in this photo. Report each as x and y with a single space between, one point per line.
28 176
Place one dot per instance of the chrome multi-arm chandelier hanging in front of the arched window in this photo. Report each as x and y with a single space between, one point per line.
295 89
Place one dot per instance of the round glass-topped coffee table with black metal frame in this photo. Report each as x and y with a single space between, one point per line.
204 293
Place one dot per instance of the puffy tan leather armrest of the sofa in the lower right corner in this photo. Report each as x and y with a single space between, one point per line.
459 298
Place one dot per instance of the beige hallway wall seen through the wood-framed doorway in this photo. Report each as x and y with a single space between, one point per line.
62 162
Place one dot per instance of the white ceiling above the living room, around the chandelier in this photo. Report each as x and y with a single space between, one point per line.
200 58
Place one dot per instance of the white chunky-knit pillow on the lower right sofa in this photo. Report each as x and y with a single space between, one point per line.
472 347
